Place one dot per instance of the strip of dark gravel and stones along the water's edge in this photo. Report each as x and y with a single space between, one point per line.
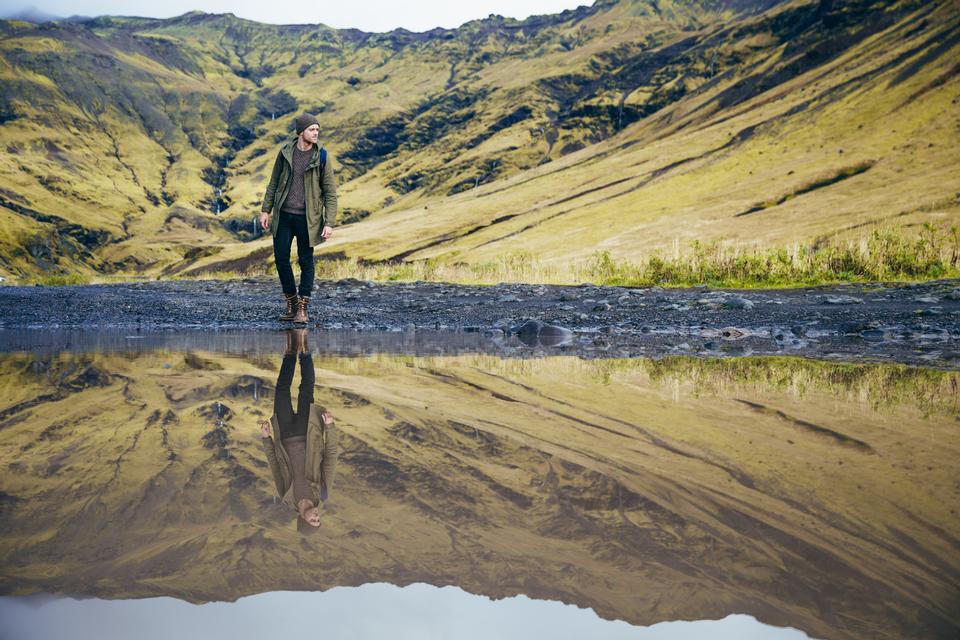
916 323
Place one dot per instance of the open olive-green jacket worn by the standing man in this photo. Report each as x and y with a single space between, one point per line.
319 192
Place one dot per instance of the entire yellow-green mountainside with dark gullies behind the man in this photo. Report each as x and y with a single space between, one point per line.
627 127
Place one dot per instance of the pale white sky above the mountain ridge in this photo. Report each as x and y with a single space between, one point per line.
368 15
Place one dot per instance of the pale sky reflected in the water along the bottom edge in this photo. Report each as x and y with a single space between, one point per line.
417 612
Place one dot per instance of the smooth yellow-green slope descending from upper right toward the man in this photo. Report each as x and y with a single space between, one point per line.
862 139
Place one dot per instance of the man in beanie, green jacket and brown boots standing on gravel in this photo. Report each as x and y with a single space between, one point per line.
300 202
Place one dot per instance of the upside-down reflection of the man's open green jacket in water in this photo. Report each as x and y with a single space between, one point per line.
321 465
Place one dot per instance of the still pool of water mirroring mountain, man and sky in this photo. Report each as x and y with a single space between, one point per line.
472 495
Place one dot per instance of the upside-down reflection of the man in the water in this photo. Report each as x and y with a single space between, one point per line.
304 458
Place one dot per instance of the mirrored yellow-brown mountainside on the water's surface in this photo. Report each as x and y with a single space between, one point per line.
593 484
